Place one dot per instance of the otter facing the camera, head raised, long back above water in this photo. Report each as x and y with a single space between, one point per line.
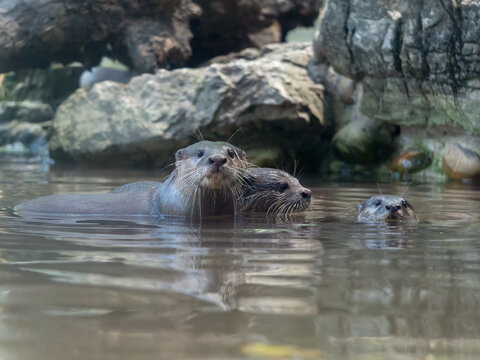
206 181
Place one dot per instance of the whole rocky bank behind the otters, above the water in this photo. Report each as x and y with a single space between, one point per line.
386 89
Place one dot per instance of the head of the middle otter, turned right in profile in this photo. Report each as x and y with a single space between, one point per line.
274 191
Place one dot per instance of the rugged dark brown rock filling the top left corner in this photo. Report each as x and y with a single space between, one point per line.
144 34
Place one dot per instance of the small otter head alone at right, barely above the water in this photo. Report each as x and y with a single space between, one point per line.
386 208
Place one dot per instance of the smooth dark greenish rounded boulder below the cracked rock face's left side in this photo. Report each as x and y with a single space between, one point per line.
364 141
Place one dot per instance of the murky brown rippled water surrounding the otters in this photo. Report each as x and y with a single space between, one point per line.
317 286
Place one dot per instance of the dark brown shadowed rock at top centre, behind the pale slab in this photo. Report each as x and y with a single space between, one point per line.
230 25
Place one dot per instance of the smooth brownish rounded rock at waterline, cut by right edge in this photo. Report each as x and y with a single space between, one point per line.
461 160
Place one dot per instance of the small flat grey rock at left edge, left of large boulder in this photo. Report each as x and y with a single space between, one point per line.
25 111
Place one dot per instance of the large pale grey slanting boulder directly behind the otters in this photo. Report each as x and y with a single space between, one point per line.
271 98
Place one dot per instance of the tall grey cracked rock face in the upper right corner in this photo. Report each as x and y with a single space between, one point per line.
418 61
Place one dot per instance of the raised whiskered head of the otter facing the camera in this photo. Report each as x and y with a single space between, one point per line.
210 165
